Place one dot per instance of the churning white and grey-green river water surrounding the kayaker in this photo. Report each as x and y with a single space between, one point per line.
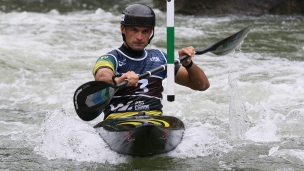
251 118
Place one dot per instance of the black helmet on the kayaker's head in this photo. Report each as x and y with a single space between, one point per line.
138 15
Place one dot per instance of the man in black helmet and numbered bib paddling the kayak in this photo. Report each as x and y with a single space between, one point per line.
131 59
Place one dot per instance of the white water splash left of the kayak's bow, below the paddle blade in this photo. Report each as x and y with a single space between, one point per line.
64 136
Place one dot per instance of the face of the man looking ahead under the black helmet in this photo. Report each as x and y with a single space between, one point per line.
137 37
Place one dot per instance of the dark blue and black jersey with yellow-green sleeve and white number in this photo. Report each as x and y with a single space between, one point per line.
148 94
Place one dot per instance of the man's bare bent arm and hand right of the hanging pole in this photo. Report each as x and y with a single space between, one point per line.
192 77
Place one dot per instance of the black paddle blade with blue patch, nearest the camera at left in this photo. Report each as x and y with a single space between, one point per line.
91 98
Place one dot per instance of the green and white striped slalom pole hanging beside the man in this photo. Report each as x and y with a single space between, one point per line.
170 50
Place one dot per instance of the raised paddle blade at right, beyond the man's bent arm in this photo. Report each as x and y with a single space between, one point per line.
227 45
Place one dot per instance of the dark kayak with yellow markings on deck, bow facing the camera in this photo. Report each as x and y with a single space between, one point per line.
142 135
